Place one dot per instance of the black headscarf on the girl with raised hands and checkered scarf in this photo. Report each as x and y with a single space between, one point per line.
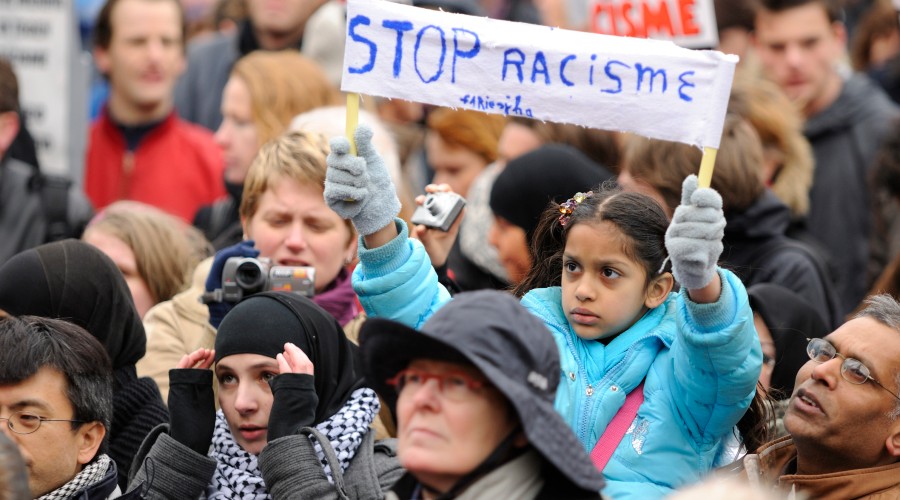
264 322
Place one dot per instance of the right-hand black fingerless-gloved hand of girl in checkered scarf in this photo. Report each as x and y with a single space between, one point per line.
294 393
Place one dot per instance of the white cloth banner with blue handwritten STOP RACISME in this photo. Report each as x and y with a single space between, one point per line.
649 87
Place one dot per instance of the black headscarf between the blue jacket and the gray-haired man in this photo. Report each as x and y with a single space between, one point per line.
791 320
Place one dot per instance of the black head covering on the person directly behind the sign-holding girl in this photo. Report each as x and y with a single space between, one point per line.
552 172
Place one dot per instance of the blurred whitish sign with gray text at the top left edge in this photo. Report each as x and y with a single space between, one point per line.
39 38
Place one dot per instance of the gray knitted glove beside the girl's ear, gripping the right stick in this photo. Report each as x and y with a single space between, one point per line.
694 238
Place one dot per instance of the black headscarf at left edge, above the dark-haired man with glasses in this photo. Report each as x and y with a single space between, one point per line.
75 281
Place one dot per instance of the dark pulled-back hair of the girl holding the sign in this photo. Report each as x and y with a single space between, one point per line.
638 216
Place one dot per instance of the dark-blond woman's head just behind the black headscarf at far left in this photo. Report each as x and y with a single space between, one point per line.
155 251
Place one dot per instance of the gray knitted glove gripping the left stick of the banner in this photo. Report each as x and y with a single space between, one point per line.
359 188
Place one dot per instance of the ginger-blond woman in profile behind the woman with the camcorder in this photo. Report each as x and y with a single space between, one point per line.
265 91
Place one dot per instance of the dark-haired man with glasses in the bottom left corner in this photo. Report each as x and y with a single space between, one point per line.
56 405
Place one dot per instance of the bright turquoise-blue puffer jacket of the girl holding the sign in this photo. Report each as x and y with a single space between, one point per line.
700 363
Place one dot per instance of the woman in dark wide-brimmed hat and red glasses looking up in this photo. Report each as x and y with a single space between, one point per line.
473 393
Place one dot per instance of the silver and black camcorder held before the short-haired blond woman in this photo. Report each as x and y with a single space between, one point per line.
243 276
